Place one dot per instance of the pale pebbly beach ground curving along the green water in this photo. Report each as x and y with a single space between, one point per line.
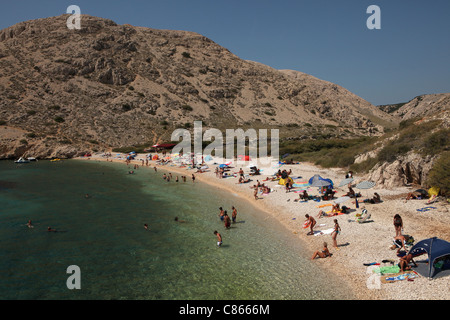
358 244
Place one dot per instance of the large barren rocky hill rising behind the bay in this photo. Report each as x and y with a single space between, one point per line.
107 85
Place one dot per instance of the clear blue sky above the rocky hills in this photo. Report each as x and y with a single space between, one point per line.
328 39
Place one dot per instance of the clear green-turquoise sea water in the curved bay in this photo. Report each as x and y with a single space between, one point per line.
104 235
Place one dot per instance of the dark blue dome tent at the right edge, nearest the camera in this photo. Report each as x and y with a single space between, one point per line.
435 248
